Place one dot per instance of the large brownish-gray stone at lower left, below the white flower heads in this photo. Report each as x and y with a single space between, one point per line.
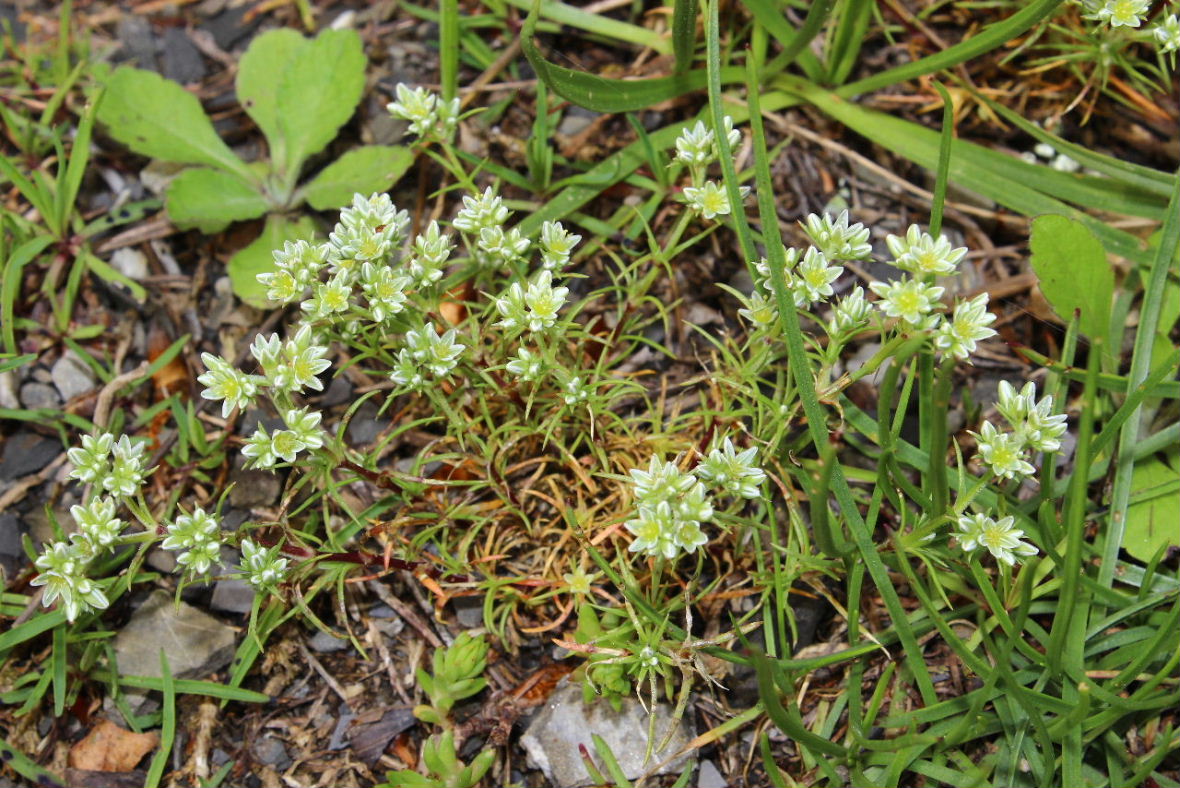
196 643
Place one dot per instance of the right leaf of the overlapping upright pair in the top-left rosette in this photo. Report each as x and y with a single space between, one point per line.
319 94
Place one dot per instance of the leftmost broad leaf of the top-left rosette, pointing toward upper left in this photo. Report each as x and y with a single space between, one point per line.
156 117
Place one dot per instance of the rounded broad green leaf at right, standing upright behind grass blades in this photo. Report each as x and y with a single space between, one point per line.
1074 273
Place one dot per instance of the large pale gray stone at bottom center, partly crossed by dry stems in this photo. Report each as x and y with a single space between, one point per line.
566 723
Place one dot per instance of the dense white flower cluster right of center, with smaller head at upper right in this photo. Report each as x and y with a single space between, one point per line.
672 505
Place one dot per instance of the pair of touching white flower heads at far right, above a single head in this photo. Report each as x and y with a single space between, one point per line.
1033 429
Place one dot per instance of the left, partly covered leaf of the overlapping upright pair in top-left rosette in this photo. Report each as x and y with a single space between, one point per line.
259 75
